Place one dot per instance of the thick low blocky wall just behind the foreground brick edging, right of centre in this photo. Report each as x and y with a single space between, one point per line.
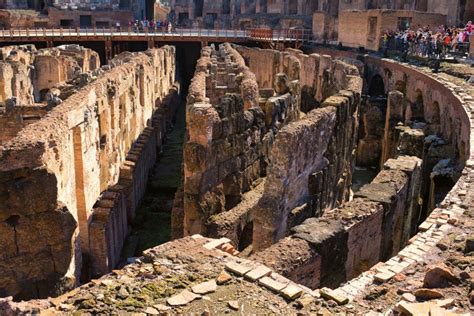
345 241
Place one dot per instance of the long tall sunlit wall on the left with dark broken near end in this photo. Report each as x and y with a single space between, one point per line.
65 161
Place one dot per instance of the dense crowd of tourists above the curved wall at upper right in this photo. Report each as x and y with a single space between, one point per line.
426 42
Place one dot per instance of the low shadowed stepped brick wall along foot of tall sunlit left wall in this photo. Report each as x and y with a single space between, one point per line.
114 211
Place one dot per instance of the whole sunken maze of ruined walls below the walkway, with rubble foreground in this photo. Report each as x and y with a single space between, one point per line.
186 179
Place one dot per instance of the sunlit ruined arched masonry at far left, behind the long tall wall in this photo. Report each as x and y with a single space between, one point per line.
27 77
